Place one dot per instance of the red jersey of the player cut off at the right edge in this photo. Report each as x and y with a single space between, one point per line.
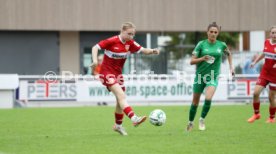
268 72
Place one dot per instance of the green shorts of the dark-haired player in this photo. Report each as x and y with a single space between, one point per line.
200 84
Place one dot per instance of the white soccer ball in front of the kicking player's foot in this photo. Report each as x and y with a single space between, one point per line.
157 117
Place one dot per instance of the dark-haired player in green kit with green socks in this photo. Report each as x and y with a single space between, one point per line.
207 56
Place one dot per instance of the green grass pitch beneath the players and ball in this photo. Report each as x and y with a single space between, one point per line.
89 130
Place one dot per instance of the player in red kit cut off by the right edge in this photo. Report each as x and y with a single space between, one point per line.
267 77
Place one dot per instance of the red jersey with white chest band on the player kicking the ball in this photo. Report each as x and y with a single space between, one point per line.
116 52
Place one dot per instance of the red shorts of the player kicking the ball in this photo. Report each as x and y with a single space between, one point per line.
110 79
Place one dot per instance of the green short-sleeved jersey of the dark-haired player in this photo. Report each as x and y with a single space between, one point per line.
215 51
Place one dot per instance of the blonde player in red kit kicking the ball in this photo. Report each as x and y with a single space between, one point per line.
117 48
